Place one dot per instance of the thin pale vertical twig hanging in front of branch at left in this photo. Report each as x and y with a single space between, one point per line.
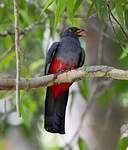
17 49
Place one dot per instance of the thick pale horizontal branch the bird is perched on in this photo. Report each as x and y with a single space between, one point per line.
66 77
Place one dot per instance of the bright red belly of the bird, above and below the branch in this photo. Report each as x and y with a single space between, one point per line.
56 66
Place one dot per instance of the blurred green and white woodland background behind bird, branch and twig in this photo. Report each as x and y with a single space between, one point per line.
104 126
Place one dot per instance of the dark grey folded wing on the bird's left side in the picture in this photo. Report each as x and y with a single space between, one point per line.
50 54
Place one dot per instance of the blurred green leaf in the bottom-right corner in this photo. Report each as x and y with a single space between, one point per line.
122 144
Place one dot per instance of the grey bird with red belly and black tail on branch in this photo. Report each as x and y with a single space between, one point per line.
64 55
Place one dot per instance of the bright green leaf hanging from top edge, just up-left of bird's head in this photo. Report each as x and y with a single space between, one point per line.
60 5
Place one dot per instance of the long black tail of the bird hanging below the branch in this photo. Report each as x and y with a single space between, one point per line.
55 112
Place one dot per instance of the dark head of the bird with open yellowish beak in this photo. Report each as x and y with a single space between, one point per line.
75 32
